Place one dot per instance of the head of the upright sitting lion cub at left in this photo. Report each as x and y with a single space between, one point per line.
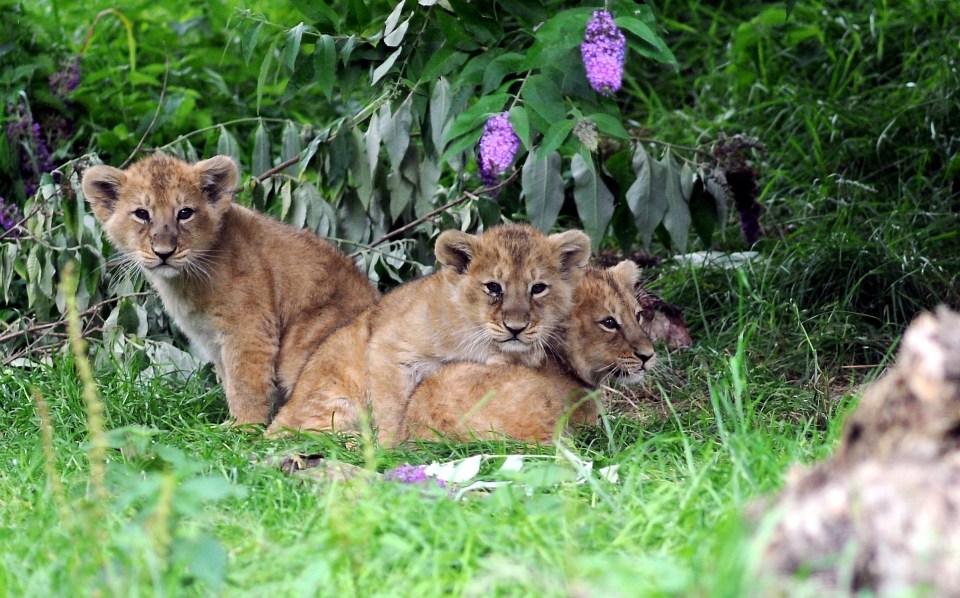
163 213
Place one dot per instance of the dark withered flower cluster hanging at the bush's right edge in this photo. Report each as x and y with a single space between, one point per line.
732 155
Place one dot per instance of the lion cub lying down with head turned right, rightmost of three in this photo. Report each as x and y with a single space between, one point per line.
602 340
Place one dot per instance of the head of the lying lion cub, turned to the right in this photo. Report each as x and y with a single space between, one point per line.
604 338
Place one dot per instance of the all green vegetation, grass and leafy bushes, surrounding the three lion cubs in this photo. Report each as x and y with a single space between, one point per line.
855 107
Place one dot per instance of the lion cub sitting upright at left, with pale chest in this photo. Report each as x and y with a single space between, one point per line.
253 295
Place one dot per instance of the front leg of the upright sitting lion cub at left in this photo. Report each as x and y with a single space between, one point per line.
248 363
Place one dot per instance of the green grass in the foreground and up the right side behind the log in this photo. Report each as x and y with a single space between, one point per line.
860 192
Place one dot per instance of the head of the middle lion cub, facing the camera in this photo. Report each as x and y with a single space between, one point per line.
513 287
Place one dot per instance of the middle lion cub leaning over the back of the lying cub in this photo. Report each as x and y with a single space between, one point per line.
501 297
